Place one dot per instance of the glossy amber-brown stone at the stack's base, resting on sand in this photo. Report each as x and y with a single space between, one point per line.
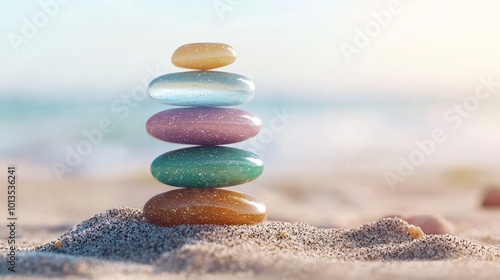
204 206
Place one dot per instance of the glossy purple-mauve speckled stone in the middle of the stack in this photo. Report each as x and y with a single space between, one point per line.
203 125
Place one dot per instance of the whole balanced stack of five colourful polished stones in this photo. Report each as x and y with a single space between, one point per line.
202 170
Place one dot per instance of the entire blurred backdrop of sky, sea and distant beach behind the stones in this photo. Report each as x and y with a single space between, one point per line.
351 94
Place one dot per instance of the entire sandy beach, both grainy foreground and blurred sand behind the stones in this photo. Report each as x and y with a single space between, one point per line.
314 231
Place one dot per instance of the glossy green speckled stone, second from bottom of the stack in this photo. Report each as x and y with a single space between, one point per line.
206 167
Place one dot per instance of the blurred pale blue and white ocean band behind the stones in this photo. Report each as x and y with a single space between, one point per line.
295 133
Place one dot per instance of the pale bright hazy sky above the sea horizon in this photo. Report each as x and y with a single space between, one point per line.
427 48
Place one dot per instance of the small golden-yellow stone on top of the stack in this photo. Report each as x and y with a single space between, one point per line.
203 56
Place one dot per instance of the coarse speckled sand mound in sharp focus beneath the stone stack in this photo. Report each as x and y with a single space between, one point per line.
122 234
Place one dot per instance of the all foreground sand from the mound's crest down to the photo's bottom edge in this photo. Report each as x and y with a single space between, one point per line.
119 244
